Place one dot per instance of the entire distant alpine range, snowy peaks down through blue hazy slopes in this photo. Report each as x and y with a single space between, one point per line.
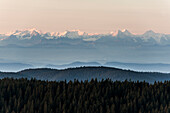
32 45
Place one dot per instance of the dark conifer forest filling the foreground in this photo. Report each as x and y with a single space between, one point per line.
33 96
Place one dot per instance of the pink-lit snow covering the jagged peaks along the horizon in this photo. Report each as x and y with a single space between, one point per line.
73 34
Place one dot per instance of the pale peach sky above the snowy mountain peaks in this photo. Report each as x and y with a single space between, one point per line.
93 16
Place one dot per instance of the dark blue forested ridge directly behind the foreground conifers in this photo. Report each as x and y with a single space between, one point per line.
87 73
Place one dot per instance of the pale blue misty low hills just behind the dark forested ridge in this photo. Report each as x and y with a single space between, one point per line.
141 67
